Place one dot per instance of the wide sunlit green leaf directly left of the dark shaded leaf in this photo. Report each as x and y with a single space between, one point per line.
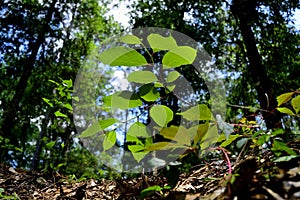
123 100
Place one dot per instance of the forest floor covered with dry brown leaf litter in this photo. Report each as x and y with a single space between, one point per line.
253 177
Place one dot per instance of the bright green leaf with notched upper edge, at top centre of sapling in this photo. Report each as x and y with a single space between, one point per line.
158 42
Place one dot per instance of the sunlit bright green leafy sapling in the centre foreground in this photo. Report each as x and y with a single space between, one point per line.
154 88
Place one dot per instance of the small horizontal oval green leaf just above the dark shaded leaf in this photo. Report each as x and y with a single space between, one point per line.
142 77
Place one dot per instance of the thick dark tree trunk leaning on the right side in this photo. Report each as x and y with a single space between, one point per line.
246 14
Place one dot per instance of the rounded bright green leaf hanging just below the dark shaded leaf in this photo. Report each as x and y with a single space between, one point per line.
161 114
